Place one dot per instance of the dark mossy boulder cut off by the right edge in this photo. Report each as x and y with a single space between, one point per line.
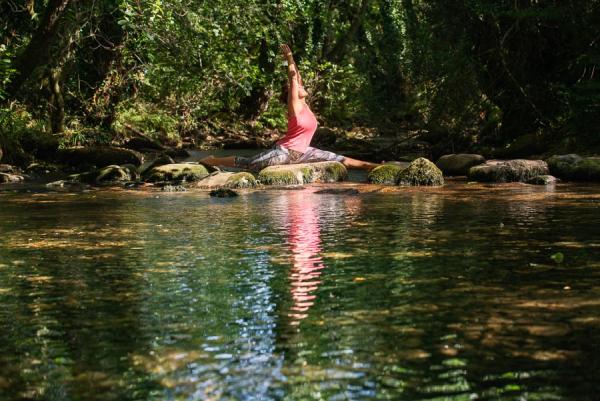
574 167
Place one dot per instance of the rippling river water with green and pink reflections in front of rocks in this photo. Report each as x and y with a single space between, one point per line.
438 293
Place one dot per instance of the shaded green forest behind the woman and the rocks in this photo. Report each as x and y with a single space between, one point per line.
498 77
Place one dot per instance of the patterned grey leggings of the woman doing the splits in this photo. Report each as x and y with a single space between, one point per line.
280 155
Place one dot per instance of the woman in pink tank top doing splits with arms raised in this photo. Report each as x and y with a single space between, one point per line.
294 147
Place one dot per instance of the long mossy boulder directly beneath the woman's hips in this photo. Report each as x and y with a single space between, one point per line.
303 173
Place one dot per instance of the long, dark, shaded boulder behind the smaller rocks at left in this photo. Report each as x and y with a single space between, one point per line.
99 156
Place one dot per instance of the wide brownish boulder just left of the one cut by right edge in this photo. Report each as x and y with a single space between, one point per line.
518 170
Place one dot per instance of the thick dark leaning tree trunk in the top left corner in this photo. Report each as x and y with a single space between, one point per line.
37 53
